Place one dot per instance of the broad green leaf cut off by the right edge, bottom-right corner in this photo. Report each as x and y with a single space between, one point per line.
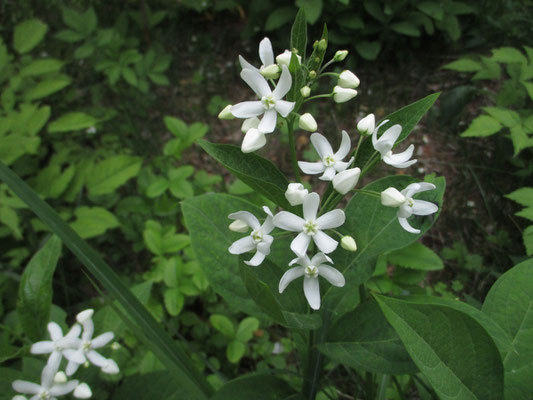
510 304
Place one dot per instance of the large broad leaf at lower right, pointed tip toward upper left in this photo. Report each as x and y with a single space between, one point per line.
449 347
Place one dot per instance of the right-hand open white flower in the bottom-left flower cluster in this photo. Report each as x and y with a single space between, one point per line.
86 350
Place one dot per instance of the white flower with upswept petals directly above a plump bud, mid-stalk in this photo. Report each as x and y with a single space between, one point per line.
331 163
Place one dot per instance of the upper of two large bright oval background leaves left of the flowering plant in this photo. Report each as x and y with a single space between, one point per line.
113 172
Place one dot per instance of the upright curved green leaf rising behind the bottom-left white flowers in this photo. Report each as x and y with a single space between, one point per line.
35 290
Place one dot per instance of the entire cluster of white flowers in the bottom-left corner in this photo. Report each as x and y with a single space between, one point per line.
77 351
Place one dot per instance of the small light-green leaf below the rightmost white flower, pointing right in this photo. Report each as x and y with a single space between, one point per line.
416 256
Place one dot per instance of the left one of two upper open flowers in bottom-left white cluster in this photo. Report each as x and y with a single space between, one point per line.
58 344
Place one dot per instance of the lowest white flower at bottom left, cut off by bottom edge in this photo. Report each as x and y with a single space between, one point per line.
47 390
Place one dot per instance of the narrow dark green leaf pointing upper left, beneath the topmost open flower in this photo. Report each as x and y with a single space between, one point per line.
257 172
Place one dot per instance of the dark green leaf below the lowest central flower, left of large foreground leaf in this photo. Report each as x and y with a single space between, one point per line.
363 339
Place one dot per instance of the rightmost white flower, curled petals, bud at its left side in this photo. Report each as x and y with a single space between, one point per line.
408 206
